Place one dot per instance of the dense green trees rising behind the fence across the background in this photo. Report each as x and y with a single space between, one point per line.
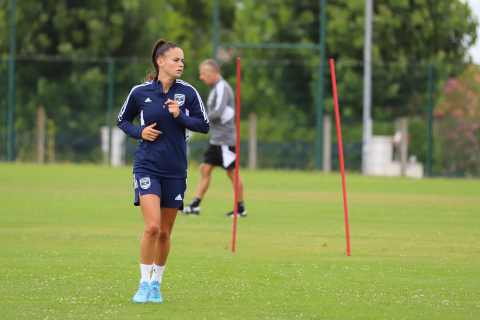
65 47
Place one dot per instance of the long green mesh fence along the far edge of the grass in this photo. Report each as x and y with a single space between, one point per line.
81 95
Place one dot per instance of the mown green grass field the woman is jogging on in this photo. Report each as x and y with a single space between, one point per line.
70 240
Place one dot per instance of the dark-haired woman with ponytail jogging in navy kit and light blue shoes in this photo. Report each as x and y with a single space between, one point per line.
167 106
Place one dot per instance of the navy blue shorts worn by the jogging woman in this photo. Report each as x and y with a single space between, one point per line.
171 191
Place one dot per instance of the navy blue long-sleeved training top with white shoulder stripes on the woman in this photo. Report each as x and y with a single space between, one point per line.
166 156
